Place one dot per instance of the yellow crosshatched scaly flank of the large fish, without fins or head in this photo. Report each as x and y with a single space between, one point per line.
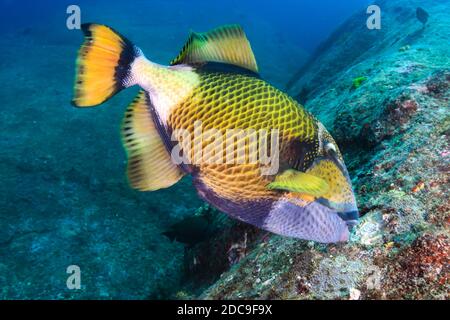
232 101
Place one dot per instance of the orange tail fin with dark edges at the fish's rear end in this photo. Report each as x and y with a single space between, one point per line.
103 65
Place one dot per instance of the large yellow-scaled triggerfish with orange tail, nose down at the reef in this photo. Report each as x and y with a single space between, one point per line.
214 82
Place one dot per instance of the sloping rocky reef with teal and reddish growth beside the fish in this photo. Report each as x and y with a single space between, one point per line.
393 129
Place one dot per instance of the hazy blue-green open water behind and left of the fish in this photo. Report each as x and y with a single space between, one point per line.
64 197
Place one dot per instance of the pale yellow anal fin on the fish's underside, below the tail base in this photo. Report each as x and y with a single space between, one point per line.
149 164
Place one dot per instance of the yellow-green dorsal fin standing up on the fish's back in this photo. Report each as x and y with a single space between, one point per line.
226 44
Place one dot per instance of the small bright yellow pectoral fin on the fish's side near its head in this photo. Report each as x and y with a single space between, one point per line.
296 181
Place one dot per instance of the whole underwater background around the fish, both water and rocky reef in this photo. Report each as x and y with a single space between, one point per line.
64 198
